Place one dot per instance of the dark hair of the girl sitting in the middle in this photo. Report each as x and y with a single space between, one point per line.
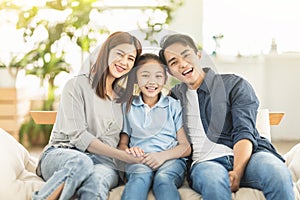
132 75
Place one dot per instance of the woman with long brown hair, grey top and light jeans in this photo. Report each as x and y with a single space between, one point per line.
78 159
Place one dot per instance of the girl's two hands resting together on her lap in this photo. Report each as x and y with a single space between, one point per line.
154 160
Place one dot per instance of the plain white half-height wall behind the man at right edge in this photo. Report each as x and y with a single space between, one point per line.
282 92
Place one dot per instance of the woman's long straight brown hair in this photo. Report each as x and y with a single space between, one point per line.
100 70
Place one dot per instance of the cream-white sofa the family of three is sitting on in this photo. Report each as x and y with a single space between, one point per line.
18 179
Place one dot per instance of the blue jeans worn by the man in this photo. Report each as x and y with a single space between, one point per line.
264 172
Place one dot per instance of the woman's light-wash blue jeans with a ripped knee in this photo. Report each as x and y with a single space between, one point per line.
87 176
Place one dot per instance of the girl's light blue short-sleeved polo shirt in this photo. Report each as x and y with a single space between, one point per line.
153 129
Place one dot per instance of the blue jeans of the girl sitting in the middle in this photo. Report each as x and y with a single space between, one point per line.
166 180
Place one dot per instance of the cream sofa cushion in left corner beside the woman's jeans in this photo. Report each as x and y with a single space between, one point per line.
18 179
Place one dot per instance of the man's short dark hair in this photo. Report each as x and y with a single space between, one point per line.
168 40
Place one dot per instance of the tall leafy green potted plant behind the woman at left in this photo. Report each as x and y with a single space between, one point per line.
47 63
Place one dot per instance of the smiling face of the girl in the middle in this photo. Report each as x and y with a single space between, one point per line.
151 78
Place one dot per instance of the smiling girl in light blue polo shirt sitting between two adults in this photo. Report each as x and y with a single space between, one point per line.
153 131
